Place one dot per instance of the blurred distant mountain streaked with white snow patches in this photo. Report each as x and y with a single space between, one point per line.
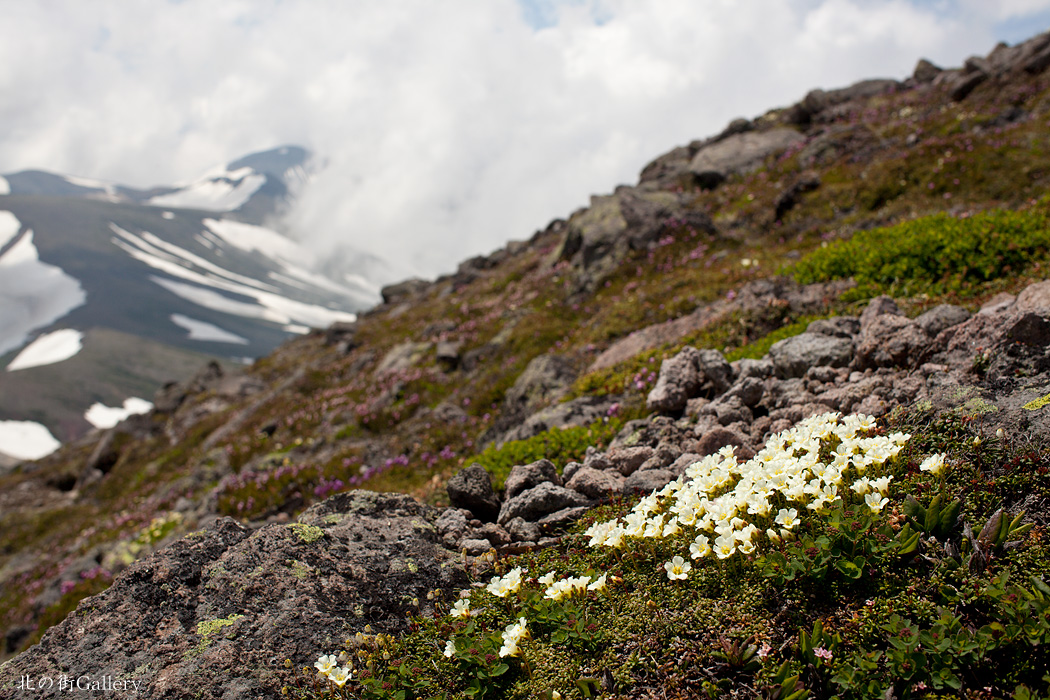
108 292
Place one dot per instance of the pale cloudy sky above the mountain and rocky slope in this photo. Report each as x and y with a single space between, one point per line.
448 128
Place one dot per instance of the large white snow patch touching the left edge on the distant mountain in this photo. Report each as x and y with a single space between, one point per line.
33 294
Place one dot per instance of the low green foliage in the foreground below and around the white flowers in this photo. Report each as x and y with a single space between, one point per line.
925 623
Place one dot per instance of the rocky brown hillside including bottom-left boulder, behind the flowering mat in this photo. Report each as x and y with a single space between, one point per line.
649 327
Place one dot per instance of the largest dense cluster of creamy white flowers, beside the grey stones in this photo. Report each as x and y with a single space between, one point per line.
721 498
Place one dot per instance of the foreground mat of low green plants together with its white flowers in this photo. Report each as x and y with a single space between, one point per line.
839 562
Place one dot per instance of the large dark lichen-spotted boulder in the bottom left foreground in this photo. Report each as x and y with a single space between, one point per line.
217 612
